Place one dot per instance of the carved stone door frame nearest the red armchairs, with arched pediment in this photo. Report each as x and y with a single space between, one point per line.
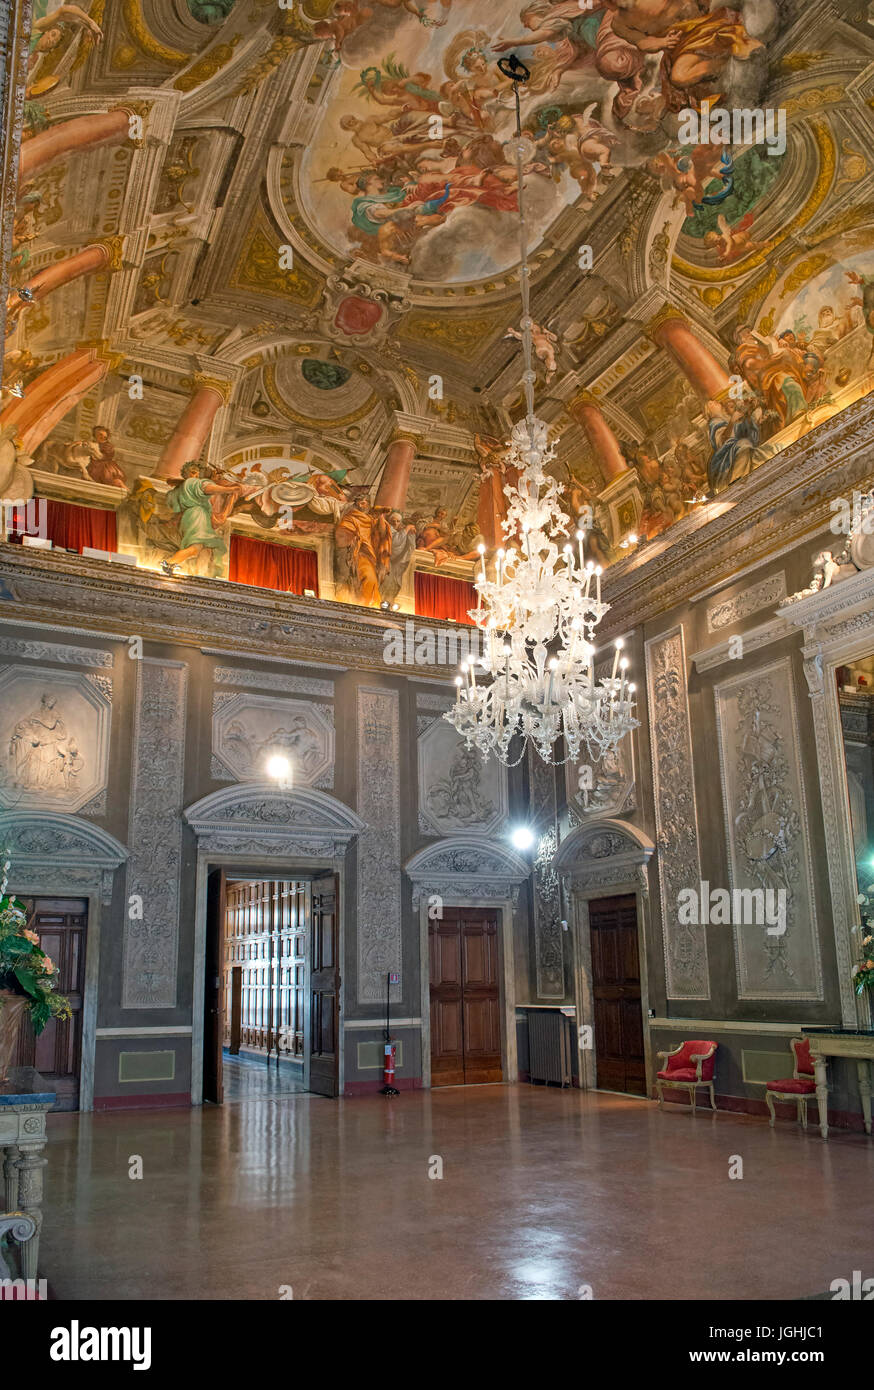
607 858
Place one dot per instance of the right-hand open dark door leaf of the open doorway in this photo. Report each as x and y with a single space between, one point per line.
326 988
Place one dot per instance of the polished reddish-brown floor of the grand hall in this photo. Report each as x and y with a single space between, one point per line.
544 1192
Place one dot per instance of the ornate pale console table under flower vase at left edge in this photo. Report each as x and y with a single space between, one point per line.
24 1102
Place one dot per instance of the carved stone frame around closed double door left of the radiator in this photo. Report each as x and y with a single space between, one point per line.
472 871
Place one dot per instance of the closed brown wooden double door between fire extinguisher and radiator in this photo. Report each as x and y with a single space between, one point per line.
463 949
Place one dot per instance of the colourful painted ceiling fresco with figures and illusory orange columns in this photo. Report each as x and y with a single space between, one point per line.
269 266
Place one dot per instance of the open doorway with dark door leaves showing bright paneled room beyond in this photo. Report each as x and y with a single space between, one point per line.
272 989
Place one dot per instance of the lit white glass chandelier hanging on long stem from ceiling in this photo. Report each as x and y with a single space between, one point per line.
541 611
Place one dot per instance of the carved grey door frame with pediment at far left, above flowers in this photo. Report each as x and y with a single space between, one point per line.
55 856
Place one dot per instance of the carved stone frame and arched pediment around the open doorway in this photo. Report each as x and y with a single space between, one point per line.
280 835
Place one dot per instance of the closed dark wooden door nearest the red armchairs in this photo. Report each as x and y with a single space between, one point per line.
616 986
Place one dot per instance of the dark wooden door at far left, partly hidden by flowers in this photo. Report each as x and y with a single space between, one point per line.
62 926
